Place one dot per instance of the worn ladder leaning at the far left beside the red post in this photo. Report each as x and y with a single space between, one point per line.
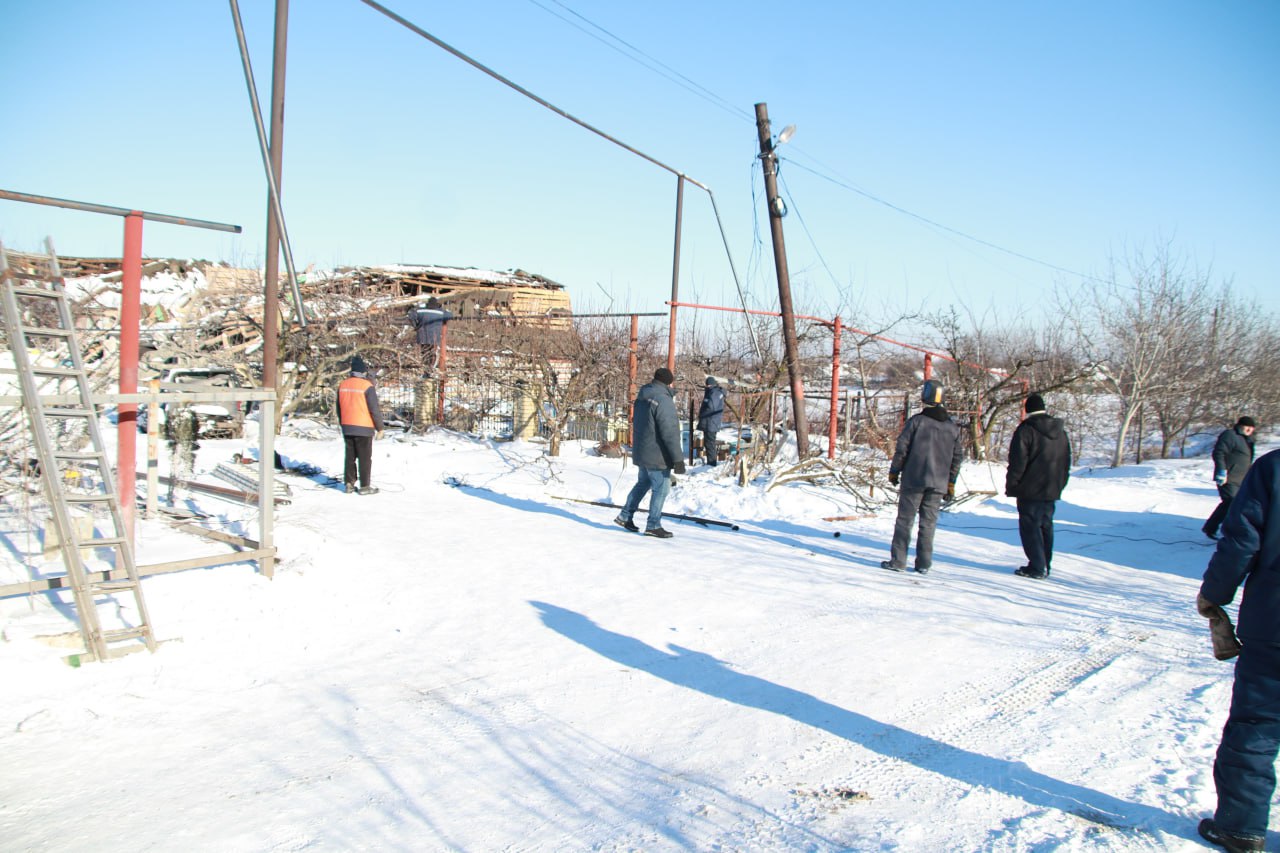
48 359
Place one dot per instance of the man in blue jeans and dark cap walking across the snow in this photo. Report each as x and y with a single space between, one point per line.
656 453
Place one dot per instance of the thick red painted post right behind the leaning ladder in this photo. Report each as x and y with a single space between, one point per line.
127 414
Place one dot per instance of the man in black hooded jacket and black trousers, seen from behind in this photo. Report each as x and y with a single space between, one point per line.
1040 466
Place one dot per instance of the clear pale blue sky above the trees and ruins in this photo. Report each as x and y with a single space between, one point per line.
1062 133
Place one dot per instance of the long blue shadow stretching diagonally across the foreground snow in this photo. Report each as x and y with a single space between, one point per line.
706 674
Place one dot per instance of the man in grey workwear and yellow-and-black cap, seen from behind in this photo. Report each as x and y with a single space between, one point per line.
925 468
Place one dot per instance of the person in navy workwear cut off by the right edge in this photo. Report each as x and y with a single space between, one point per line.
1249 554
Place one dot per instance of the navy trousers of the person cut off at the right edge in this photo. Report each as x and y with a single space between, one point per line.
1245 770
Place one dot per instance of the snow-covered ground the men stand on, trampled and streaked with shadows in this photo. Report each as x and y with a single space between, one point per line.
487 667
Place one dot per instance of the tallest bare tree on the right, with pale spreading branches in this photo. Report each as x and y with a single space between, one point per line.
1136 327
